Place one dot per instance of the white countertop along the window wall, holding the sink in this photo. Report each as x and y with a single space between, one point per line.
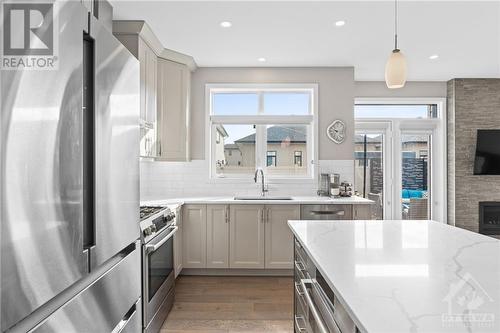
354 200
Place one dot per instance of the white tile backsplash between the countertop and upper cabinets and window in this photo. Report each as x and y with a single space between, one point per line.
166 180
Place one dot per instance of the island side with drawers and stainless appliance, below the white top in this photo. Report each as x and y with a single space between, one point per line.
316 307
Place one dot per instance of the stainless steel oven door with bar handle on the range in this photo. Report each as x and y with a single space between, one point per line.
158 271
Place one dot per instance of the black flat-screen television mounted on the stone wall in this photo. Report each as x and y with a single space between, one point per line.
487 161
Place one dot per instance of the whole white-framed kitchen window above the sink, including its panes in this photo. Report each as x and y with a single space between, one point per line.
269 126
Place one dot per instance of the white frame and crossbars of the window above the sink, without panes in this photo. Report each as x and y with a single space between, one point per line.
310 120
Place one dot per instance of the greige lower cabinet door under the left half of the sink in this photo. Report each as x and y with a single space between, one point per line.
246 236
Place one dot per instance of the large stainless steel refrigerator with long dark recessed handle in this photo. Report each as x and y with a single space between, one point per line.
70 260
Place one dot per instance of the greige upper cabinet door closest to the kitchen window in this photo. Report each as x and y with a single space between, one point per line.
174 81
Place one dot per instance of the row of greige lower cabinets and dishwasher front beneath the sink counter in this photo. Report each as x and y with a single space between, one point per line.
249 236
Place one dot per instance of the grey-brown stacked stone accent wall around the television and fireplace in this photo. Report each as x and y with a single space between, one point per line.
472 104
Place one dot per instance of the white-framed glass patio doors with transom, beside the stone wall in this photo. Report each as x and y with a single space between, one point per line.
401 143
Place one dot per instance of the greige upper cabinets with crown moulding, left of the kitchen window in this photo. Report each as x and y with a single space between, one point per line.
165 92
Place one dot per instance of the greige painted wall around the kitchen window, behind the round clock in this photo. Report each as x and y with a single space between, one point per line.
336 98
